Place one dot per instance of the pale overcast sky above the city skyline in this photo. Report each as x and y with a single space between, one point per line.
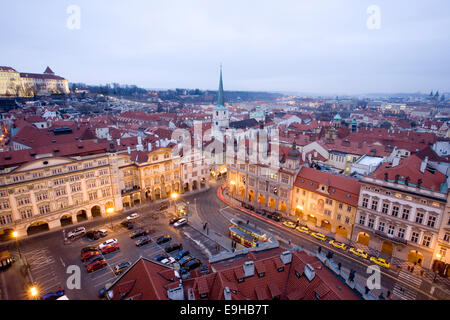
313 46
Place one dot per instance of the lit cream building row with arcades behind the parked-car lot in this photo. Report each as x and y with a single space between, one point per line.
47 191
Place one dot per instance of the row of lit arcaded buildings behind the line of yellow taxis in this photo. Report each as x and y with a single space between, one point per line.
401 210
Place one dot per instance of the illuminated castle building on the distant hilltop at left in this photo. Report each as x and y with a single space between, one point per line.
13 83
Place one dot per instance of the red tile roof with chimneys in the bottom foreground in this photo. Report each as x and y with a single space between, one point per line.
149 280
